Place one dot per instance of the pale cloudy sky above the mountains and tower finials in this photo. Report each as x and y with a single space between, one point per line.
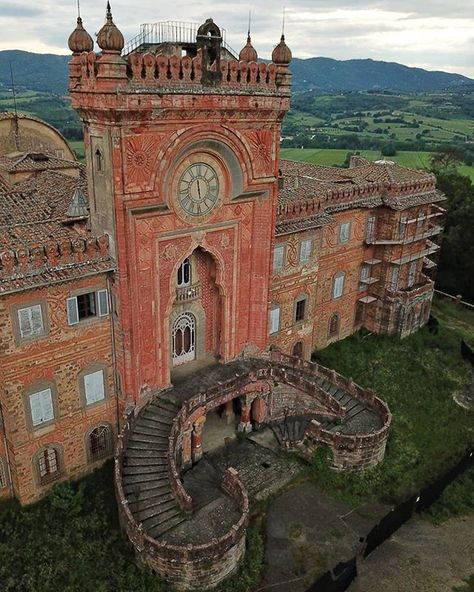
432 34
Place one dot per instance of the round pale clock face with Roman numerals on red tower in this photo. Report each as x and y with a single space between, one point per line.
198 189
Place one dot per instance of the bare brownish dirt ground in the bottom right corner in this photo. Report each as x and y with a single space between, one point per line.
421 557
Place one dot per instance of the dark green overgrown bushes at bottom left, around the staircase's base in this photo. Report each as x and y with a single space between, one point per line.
71 542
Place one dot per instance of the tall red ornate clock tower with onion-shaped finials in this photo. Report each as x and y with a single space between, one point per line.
182 148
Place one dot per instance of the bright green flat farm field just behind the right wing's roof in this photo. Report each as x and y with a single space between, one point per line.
336 157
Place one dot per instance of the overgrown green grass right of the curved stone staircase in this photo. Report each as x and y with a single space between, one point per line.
417 378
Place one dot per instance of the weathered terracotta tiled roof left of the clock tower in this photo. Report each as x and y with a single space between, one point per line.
39 243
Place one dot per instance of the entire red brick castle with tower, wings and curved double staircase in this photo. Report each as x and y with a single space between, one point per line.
187 270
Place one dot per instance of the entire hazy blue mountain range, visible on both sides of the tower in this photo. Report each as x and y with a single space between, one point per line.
48 73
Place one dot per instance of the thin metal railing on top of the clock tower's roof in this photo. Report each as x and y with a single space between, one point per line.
169 32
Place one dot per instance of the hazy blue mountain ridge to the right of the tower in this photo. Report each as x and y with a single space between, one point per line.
328 75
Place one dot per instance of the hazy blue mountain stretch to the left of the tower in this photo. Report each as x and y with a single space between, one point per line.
34 71
